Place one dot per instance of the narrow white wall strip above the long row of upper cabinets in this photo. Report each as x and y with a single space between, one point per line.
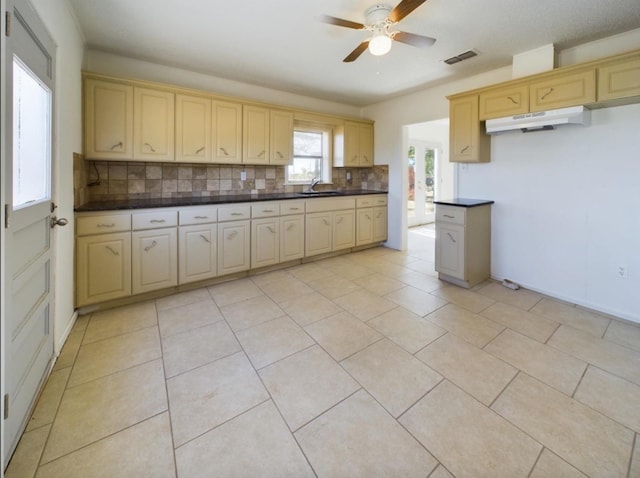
107 63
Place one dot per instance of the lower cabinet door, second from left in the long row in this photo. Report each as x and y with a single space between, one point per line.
154 259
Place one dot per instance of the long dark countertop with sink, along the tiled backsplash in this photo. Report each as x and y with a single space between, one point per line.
202 201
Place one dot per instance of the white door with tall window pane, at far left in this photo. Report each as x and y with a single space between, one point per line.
27 338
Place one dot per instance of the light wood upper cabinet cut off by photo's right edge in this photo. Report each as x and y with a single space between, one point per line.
619 80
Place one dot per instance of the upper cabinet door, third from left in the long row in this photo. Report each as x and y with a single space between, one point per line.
193 129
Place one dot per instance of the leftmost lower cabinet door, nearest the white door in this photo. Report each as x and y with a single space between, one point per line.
103 267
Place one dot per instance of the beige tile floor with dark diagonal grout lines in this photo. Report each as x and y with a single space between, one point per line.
360 365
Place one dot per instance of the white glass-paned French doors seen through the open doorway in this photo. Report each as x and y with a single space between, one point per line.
421 161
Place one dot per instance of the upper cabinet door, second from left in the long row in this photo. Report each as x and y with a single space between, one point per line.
153 125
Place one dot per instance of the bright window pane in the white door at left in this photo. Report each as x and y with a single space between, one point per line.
31 137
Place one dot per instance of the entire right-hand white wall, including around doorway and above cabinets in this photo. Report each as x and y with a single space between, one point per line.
565 215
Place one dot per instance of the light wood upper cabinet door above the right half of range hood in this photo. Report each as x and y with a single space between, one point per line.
563 90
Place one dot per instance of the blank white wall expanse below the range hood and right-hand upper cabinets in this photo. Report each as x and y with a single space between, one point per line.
565 214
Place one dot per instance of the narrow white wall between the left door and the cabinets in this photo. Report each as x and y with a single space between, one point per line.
61 24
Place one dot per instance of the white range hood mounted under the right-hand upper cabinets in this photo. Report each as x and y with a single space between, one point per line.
540 121
